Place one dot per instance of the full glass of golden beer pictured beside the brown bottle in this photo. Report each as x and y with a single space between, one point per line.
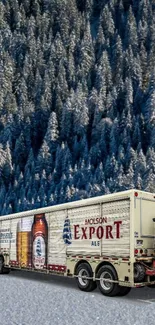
23 243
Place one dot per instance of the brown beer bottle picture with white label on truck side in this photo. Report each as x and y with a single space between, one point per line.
39 241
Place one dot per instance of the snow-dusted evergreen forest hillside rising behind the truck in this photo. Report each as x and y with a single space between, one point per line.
77 100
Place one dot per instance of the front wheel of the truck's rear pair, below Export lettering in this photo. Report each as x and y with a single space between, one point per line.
85 284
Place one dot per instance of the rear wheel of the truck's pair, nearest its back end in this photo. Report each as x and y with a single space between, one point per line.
108 288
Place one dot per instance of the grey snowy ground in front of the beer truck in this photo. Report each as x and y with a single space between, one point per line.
37 299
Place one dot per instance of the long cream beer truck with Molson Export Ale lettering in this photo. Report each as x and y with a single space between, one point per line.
106 241
